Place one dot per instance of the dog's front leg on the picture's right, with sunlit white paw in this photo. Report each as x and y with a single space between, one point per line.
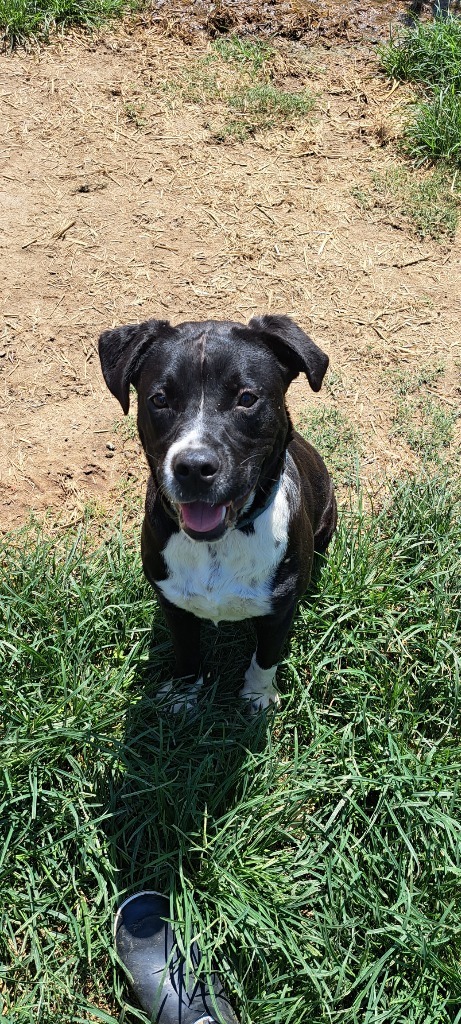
272 632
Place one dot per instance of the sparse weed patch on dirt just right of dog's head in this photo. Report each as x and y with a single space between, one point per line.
337 439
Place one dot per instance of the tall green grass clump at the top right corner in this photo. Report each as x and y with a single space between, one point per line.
430 55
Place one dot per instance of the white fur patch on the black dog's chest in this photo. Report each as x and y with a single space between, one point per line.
230 579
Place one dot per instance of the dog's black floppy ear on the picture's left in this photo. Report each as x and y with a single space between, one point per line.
122 353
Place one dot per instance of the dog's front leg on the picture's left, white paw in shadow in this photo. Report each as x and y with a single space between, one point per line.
185 629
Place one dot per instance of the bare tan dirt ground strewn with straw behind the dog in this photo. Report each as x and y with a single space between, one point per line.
117 205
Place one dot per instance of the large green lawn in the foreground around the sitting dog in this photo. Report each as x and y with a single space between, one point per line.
317 857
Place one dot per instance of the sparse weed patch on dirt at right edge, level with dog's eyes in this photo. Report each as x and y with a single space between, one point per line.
427 426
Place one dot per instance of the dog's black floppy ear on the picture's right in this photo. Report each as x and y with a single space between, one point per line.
295 350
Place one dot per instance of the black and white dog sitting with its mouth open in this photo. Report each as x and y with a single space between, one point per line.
237 502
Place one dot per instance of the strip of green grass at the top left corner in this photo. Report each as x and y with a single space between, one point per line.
21 20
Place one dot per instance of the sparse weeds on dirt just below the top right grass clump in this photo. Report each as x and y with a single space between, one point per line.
431 205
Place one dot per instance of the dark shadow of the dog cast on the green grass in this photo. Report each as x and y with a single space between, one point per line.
175 777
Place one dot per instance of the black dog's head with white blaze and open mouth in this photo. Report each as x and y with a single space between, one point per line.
212 408
